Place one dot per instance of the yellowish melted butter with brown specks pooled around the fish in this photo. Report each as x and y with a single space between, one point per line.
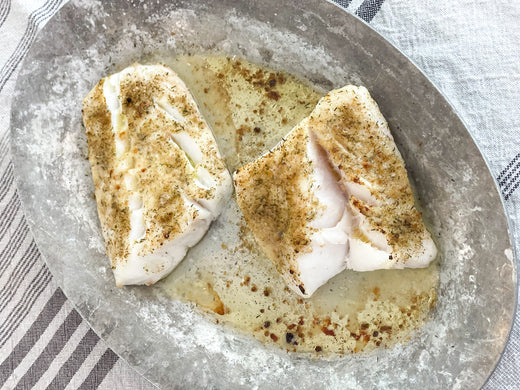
227 275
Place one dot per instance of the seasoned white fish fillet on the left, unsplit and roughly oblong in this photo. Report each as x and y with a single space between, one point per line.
159 177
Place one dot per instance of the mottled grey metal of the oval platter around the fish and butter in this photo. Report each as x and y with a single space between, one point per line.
167 341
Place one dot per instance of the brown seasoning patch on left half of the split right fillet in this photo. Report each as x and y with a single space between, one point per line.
275 197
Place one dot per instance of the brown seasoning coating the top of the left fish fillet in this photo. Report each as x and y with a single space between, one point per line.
155 107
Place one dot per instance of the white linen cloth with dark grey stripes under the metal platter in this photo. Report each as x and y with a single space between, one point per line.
469 48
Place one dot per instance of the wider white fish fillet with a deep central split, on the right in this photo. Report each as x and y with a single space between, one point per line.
334 194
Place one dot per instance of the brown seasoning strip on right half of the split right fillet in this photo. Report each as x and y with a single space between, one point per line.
349 126
